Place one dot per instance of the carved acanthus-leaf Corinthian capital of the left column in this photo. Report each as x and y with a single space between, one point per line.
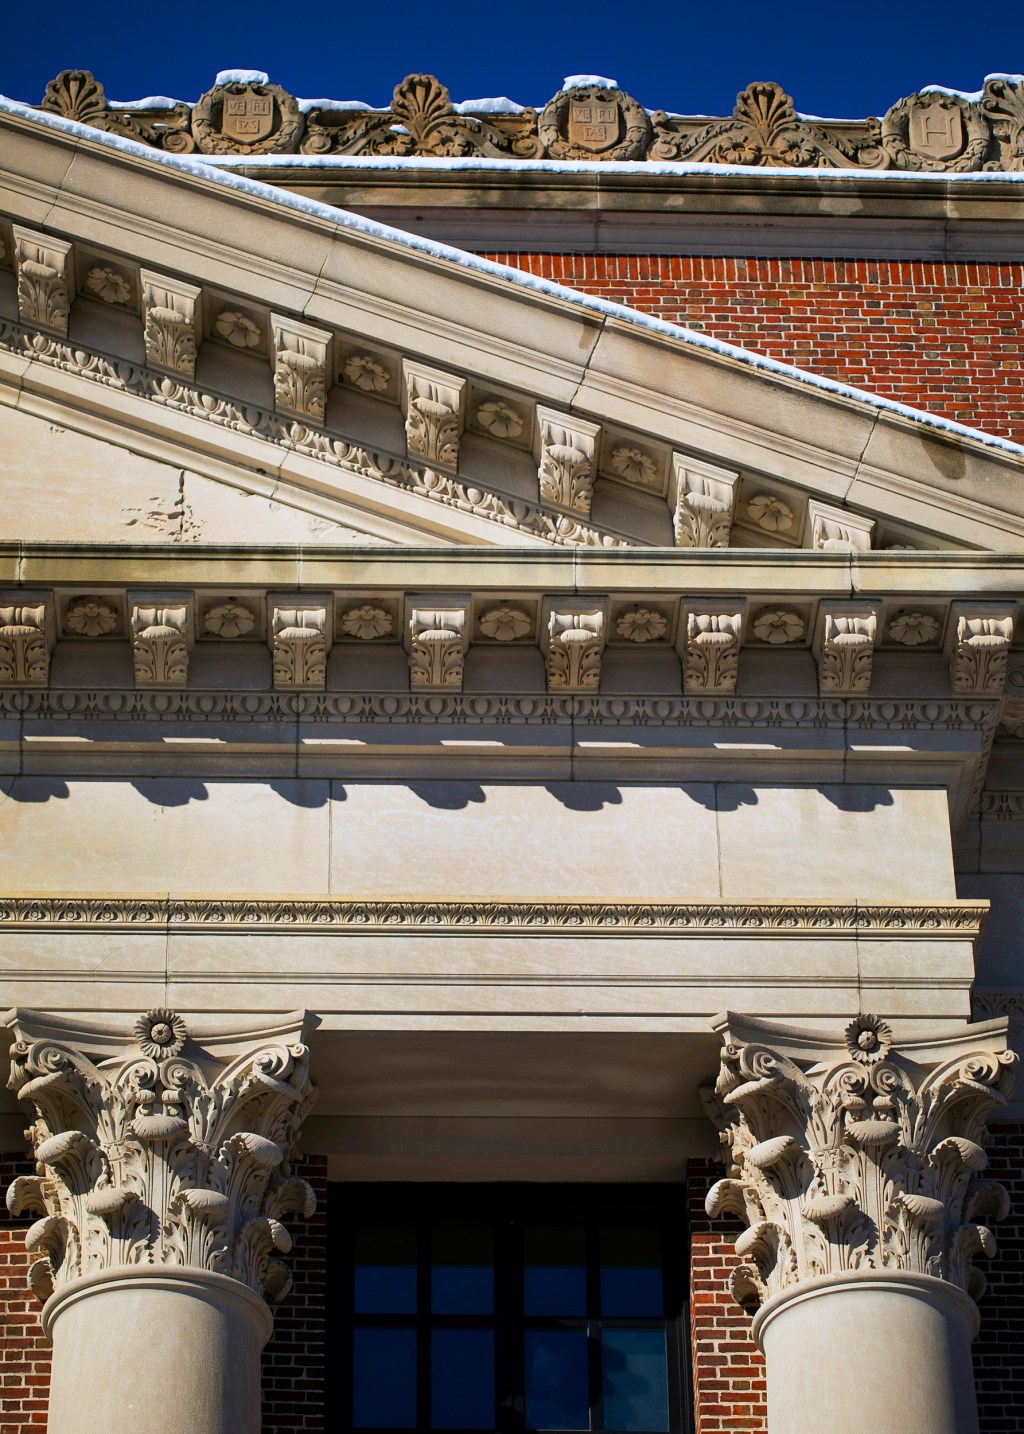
157 1151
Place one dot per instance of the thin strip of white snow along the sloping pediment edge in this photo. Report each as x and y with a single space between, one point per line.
342 220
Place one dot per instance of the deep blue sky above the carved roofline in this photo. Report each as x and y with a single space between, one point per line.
847 60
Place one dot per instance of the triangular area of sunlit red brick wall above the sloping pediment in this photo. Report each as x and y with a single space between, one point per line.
944 338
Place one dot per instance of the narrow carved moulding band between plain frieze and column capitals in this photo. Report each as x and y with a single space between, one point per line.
331 916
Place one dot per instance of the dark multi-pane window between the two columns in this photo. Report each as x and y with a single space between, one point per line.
510 1309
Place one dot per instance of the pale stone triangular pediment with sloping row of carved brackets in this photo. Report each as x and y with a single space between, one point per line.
302 374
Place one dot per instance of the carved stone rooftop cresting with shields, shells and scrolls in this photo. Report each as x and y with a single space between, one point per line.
243 114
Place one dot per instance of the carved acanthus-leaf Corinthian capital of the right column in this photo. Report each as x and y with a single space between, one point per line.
847 1154
